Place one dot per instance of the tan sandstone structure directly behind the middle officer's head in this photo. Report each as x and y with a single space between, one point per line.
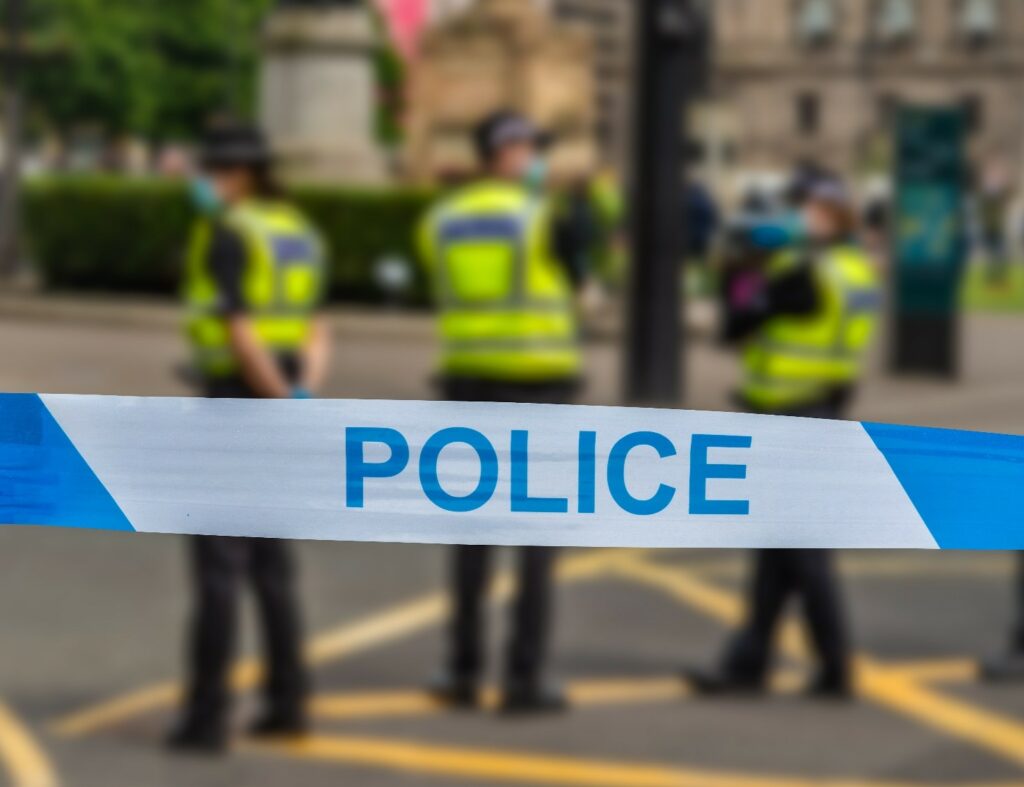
494 55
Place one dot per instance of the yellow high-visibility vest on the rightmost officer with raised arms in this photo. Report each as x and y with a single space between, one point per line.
799 361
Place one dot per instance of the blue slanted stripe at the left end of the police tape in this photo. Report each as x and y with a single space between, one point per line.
44 478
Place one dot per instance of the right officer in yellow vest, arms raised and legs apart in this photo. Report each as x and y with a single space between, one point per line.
804 334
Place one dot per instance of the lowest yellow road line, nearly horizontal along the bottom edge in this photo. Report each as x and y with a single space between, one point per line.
501 766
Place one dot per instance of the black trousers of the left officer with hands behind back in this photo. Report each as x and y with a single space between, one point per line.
222 566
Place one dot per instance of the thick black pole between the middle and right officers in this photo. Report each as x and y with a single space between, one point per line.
670 54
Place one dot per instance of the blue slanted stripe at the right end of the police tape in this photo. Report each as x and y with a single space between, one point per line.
967 487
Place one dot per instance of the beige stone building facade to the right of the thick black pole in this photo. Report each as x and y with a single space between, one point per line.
820 79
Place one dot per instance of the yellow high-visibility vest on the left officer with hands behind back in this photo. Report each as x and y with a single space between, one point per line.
282 284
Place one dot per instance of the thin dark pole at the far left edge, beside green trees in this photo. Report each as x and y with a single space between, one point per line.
11 183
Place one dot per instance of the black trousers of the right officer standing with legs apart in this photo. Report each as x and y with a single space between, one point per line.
782 576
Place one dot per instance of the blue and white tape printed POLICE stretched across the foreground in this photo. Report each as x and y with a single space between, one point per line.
502 474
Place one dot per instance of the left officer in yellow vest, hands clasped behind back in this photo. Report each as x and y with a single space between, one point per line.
254 278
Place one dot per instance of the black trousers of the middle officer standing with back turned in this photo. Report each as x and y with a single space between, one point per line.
472 565
